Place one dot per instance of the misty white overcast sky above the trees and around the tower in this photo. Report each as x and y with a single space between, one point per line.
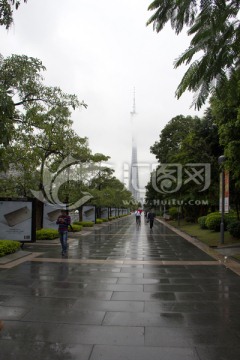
101 50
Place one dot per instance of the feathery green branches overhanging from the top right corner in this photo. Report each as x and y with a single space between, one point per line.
215 38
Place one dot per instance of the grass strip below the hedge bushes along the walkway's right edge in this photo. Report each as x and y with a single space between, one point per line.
208 237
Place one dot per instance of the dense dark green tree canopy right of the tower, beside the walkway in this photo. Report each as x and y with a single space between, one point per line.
187 145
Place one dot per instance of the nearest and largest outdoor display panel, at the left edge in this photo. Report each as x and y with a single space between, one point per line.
17 220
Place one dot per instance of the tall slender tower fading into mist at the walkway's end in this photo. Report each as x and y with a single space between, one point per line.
134 179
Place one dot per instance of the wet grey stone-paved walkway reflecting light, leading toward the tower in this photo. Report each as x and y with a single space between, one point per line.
123 293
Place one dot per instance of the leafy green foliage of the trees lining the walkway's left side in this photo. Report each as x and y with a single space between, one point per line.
37 135
